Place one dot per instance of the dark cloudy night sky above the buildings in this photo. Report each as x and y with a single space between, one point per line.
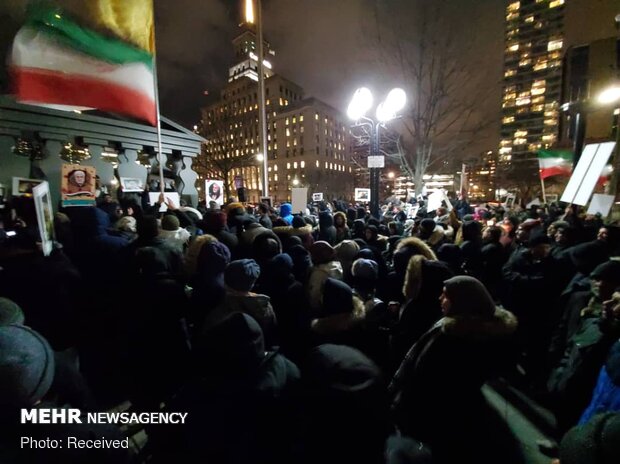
327 46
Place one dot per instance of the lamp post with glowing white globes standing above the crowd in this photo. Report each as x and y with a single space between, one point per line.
360 103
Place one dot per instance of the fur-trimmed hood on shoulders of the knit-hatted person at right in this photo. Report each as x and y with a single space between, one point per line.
502 324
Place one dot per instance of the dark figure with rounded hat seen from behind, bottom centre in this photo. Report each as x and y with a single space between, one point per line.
344 410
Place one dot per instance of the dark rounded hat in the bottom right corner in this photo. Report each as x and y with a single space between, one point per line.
595 442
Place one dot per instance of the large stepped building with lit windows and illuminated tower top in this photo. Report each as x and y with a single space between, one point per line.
307 140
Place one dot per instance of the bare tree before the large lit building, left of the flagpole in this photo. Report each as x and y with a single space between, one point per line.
222 154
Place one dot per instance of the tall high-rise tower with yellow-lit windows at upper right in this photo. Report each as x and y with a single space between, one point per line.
532 81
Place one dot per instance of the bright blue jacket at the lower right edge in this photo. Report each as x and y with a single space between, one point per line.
606 396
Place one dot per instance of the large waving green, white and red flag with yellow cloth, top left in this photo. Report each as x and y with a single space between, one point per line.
98 55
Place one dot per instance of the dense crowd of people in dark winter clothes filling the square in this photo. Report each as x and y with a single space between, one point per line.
324 335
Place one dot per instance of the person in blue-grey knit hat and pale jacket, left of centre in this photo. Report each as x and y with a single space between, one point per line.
240 277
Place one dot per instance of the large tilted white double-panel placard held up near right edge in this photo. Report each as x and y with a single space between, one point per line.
587 173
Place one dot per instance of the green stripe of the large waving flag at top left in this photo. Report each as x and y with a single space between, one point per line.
52 22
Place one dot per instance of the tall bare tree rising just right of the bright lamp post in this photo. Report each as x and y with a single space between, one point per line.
443 115
